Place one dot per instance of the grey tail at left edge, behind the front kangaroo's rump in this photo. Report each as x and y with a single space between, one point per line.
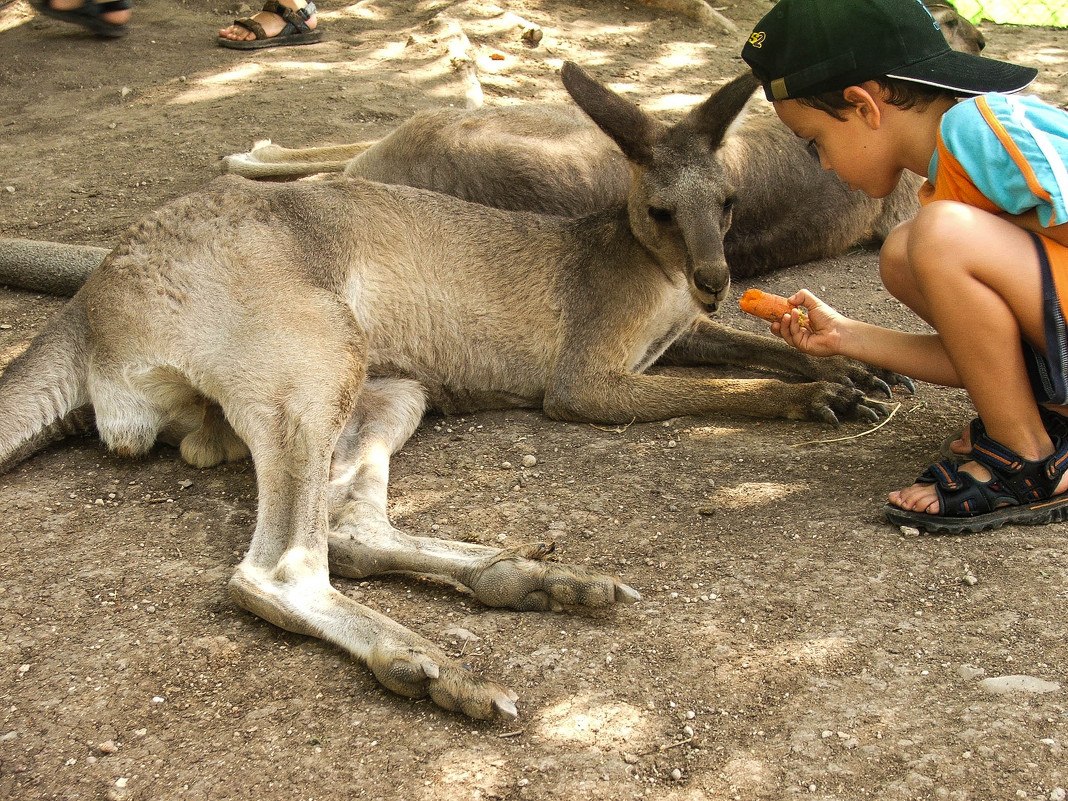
49 268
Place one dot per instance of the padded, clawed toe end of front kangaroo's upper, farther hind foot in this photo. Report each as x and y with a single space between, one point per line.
519 579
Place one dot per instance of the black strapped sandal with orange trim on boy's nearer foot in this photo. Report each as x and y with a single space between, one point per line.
1019 491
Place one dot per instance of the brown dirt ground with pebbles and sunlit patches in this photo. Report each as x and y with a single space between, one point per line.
790 642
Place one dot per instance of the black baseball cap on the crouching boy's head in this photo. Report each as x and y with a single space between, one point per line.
805 48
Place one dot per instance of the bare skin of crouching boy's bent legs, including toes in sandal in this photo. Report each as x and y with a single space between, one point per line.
977 279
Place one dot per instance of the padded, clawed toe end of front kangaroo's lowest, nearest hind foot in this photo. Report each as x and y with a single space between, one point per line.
419 671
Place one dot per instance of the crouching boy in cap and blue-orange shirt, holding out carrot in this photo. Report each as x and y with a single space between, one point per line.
874 88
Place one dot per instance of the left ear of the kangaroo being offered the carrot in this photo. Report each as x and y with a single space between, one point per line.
630 128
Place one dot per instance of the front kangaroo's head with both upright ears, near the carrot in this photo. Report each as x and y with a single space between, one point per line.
681 199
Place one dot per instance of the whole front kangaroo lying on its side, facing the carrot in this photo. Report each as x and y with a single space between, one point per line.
311 325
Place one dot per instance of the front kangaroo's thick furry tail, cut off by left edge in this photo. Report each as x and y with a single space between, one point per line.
43 392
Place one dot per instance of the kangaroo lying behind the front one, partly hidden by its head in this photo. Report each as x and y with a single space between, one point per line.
553 160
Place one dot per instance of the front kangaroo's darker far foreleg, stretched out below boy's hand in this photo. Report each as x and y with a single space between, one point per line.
709 342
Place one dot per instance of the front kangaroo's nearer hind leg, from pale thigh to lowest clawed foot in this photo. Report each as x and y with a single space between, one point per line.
290 404
